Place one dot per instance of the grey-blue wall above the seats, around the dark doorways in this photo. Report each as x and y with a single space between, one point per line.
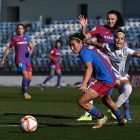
60 9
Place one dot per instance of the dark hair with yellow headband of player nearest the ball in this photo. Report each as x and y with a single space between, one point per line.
78 37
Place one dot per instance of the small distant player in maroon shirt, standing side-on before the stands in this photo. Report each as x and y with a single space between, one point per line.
54 65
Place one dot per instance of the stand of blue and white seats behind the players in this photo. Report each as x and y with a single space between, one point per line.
44 38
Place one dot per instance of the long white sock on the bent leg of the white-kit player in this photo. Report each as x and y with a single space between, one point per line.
126 89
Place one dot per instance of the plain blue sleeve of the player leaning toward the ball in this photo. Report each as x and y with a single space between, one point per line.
86 56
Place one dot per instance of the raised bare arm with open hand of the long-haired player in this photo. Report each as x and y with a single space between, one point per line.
83 22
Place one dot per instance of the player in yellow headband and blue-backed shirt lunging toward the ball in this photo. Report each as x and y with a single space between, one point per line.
93 59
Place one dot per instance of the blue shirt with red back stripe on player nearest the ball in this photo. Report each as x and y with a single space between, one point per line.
101 69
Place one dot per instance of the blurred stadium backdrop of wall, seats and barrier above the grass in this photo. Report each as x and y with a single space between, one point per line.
57 19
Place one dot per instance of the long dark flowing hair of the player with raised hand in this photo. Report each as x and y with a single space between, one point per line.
120 21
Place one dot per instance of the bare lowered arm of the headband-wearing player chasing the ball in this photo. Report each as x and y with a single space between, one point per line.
88 74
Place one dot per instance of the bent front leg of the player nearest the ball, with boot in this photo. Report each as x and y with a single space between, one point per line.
83 101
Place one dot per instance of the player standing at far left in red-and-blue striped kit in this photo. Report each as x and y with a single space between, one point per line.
22 57
